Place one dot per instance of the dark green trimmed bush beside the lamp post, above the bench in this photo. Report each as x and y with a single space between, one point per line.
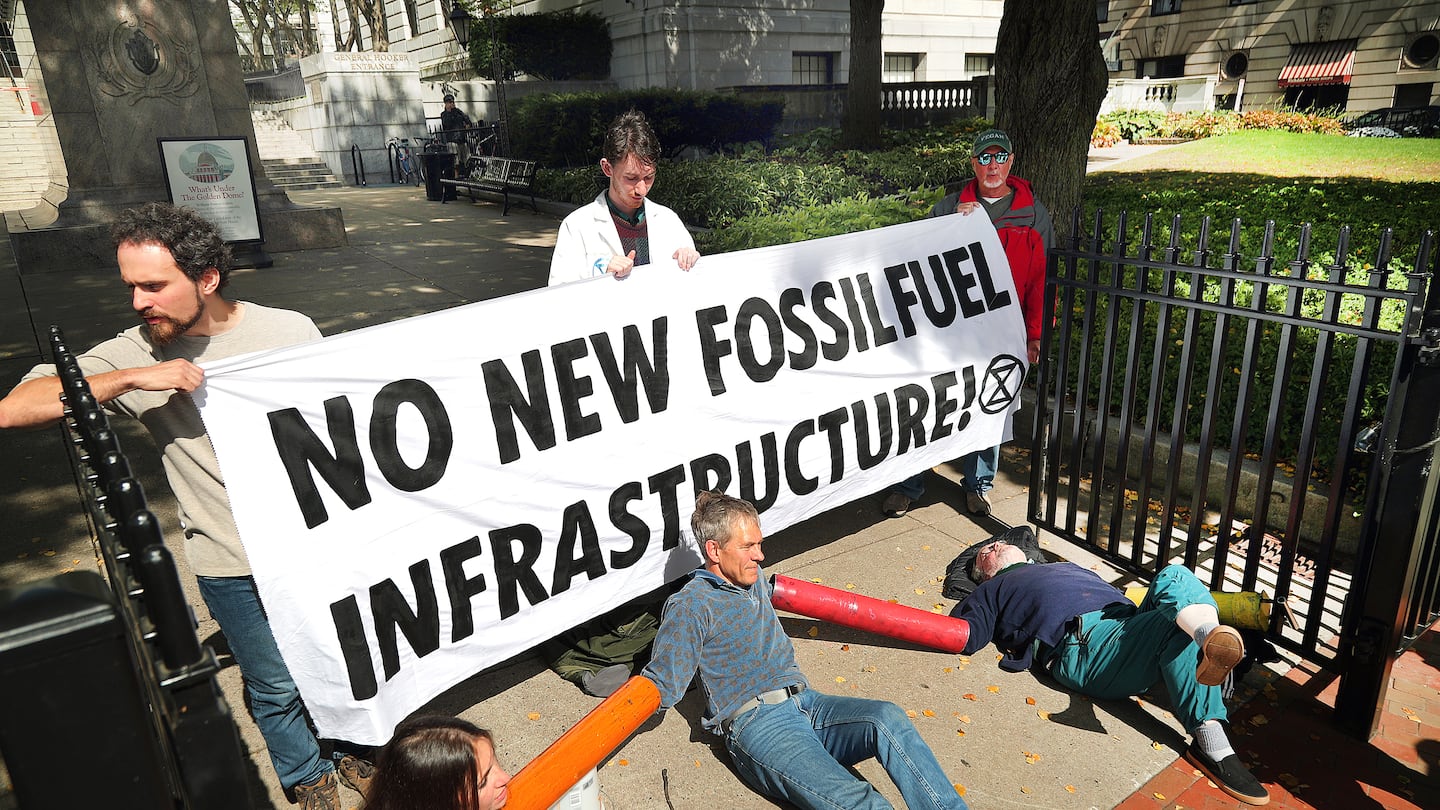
554 45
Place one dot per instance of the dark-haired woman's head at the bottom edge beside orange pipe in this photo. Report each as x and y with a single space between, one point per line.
438 763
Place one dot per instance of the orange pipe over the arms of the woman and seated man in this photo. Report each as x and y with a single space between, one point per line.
565 763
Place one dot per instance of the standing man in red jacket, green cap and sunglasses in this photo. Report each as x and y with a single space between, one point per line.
1026 233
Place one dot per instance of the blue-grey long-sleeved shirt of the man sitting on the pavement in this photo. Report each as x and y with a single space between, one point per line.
731 636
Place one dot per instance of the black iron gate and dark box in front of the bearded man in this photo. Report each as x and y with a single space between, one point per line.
107 694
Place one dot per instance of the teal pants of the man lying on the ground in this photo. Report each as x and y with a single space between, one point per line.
1124 651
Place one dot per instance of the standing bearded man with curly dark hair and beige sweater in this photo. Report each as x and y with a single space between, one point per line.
176 266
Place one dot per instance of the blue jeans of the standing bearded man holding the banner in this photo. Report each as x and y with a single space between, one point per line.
274 698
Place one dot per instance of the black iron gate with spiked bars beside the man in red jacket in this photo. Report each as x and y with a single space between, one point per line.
1229 411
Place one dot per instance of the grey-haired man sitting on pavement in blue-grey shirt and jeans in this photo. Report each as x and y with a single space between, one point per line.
786 740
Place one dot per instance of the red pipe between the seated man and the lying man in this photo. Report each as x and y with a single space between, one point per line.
866 613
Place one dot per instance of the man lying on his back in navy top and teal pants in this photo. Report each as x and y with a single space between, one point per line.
1092 639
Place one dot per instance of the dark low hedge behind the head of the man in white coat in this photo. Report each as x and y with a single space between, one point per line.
564 130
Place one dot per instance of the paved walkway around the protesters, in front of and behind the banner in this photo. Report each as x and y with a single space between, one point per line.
1007 740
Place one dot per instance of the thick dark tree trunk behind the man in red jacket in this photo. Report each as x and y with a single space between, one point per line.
1050 80
